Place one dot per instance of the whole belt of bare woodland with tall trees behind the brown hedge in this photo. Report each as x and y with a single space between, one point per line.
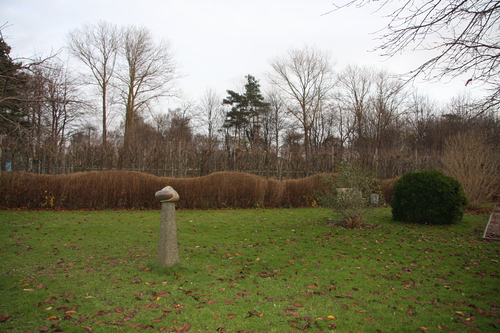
310 120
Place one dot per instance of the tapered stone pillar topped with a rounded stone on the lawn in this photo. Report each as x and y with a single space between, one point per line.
168 254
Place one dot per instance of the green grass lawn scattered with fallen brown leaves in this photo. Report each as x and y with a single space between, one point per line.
245 271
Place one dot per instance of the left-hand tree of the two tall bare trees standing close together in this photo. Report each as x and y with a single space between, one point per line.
97 47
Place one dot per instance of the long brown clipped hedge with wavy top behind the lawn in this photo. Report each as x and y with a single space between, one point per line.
135 190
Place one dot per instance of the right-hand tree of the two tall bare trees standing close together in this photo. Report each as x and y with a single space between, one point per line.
148 73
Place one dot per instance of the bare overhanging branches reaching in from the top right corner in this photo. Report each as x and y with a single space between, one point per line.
461 35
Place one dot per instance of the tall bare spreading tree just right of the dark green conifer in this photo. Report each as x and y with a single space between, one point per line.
306 77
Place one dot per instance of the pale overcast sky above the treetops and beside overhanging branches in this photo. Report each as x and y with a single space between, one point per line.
218 42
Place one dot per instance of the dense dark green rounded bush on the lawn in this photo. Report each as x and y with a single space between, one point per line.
428 197
